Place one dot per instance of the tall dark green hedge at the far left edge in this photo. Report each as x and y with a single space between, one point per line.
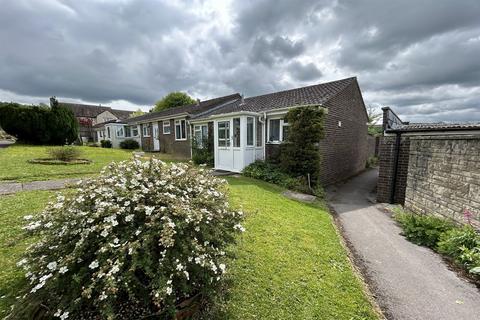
39 124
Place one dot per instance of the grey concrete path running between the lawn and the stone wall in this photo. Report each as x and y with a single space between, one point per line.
408 281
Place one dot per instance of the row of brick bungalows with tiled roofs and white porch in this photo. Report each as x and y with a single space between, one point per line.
247 129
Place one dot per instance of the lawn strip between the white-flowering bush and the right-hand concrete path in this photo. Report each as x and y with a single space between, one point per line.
290 263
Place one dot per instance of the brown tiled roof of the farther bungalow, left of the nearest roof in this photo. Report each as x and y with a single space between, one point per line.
191 109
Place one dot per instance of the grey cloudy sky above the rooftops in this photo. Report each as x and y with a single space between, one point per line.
420 57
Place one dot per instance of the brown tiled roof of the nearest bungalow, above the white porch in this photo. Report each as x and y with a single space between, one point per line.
312 95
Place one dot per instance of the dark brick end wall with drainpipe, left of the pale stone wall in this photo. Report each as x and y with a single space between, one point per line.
386 164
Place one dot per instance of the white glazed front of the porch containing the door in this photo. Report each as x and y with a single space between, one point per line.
228 144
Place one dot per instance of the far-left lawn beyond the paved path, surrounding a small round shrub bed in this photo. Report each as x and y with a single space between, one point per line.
14 165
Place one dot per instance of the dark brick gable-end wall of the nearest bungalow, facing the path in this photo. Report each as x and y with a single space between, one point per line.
344 149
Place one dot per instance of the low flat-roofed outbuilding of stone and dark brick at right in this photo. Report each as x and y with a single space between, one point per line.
430 167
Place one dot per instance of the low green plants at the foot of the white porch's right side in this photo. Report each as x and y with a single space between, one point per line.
271 173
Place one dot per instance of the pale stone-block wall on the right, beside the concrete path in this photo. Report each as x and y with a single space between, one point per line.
444 176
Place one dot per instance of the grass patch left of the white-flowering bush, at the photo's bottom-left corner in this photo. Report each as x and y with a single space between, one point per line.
13 240
